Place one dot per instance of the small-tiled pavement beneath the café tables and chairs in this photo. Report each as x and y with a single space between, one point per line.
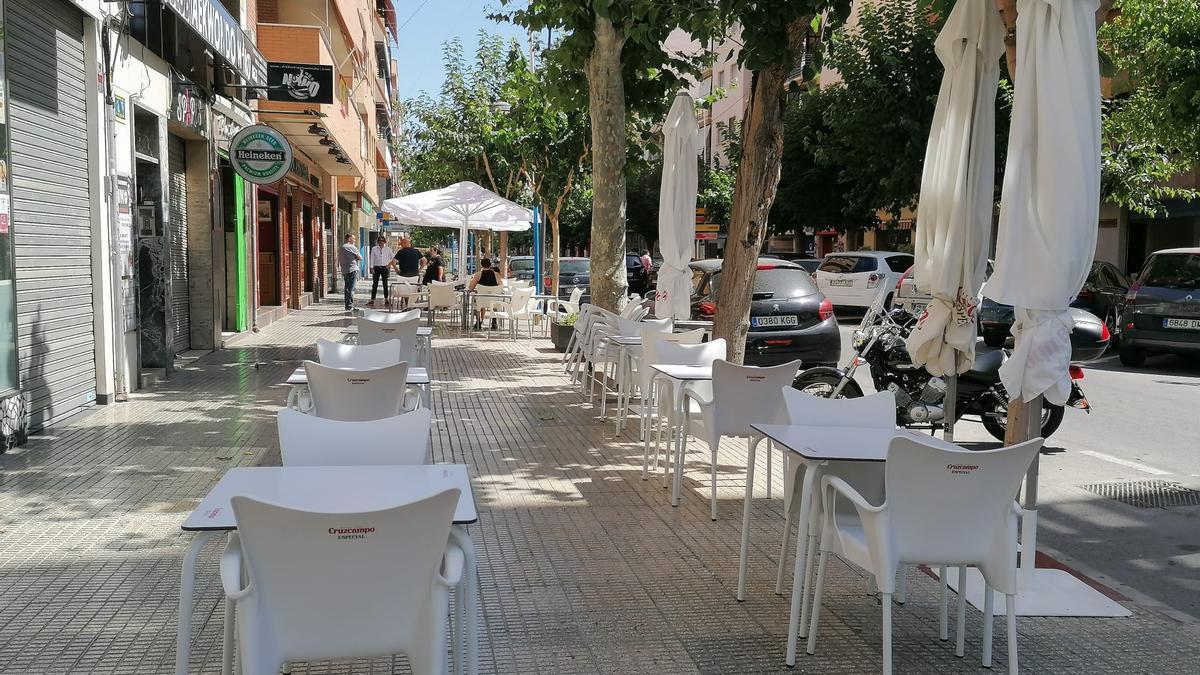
585 568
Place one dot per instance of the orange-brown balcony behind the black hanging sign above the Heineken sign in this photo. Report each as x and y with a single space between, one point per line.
321 132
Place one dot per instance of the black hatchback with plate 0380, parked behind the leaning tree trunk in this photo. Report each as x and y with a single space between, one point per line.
789 318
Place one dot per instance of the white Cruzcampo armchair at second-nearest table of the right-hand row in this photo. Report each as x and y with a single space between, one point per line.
741 396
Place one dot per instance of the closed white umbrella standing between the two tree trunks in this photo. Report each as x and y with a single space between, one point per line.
677 210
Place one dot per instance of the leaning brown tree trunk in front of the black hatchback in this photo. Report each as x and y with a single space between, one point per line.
763 150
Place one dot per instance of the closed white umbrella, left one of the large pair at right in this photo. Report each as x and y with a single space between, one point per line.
957 186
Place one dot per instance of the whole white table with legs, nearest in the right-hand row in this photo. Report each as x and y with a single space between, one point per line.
819 447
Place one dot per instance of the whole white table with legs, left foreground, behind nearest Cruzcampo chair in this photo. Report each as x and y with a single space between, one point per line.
326 489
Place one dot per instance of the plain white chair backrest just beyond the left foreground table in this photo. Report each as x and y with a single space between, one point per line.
307 440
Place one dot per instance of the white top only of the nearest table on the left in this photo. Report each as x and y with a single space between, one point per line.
333 489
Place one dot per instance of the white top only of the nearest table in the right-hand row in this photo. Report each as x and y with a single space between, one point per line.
841 444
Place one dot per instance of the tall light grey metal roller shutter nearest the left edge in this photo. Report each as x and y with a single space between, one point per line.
51 206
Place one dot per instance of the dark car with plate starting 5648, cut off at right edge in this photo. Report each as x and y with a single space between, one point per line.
1162 312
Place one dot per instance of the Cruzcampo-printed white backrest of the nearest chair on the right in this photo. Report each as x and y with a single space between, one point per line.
950 505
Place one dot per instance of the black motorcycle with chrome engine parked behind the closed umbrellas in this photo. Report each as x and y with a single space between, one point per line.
880 345
